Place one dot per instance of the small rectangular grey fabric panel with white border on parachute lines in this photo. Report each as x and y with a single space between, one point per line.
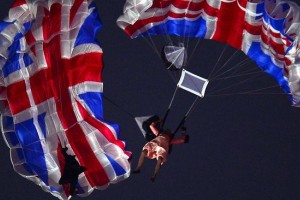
193 83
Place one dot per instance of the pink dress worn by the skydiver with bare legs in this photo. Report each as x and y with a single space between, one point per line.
158 147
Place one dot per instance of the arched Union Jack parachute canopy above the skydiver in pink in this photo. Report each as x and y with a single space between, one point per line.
267 31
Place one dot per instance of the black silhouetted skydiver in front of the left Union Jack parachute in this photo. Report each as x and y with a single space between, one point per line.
71 171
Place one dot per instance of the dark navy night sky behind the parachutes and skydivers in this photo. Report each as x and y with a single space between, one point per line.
242 147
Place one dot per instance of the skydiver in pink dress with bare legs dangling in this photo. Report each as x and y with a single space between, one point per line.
159 148
